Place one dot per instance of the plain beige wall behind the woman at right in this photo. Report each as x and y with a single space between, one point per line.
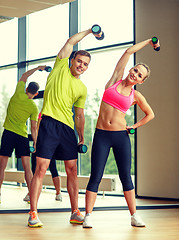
158 142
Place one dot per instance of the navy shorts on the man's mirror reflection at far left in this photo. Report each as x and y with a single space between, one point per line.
11 141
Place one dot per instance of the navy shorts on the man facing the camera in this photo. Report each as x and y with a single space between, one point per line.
56 139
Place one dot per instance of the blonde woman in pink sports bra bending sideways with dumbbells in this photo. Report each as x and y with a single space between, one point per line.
112 131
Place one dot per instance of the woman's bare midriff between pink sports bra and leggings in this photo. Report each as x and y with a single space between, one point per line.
110 118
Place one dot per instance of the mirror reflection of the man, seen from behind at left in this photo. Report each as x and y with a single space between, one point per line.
20 108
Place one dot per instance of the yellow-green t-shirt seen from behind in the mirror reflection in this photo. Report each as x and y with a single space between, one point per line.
20 108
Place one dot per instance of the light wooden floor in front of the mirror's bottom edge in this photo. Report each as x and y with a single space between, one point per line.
108 225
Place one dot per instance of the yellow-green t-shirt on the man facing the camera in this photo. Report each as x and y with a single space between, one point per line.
61 92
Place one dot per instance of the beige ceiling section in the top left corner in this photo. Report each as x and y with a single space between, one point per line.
20 8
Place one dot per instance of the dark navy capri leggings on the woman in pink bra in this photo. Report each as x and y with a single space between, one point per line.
102 142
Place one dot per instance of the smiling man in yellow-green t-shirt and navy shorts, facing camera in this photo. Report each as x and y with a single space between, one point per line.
56 135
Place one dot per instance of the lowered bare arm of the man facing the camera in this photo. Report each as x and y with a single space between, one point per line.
80 123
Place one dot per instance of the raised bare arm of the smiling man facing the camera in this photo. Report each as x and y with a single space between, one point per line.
68 47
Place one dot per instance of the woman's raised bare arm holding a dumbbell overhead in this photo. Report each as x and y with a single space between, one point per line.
120 67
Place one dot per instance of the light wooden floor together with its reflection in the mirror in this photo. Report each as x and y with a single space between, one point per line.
161 224
